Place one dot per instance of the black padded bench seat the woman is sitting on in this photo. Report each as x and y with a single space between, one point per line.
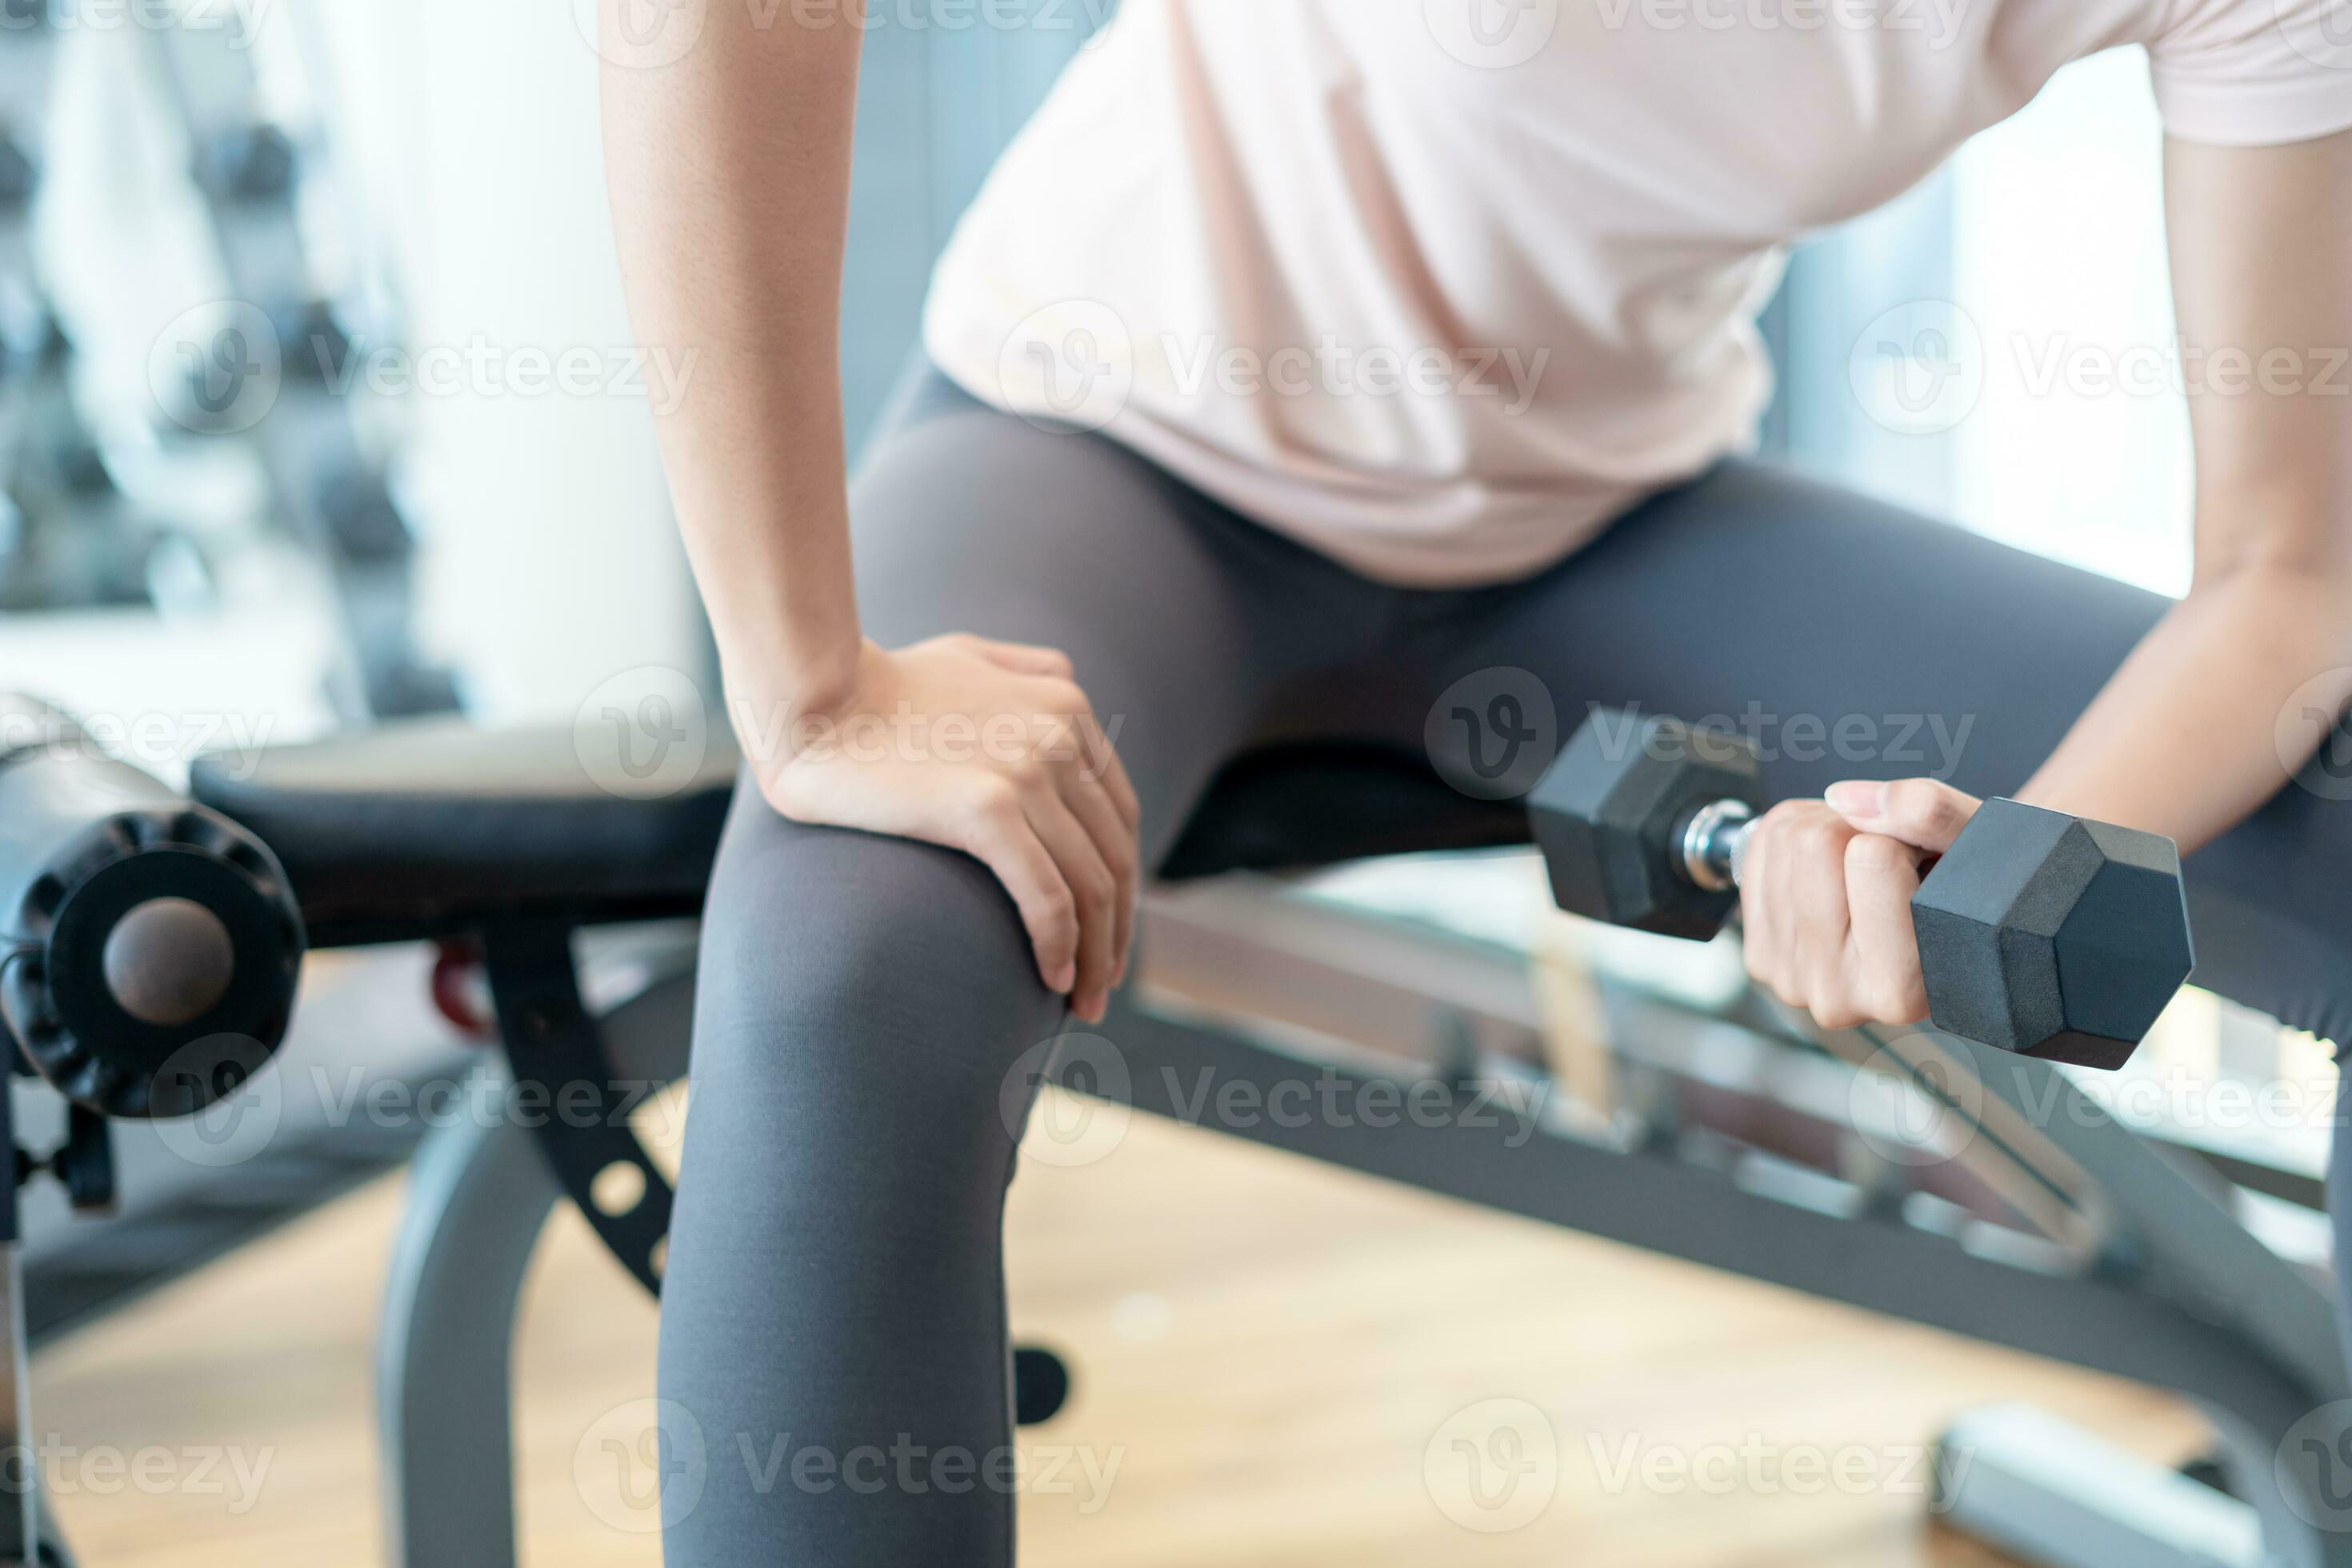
422 829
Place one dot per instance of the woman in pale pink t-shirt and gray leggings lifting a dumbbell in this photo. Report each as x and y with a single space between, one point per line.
1297 363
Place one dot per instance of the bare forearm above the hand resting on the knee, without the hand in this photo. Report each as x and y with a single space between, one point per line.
730 189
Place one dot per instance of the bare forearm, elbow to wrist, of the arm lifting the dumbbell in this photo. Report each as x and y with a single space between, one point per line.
2186 737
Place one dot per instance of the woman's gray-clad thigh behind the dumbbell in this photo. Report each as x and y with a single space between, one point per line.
1845 636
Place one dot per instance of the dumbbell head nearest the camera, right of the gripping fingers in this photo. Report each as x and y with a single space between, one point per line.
2052 937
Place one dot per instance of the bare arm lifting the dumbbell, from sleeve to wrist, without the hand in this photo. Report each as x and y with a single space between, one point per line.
2184 739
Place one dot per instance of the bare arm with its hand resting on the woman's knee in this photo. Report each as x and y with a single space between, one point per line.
730 194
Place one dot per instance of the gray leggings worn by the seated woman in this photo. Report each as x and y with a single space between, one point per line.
836 1261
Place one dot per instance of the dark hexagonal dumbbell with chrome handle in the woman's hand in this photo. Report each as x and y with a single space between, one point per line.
2040 932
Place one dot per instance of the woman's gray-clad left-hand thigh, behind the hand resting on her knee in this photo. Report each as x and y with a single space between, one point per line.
1189 626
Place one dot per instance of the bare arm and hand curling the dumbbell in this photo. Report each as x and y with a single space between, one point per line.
2193 732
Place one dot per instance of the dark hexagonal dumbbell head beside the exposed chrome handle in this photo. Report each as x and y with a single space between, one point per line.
1610 817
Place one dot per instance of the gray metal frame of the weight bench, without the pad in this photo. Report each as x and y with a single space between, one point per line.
2149 1275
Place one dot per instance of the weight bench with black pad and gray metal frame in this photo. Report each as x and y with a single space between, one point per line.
2085 1242
